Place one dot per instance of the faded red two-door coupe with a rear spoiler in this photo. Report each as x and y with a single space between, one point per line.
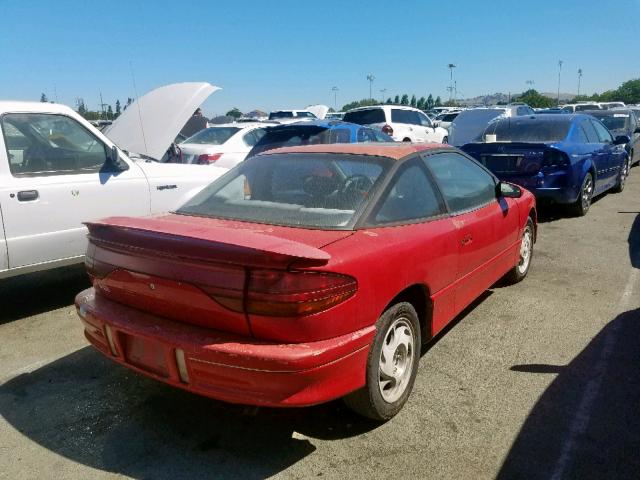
306 273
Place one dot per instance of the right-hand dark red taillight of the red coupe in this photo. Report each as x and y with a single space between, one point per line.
289 294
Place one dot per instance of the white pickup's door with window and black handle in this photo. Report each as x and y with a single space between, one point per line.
56 178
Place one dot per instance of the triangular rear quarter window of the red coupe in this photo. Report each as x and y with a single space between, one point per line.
411 196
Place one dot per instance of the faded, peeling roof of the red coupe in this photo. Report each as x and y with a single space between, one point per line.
394 150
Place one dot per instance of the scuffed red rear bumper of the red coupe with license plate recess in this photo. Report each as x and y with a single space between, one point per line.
224 366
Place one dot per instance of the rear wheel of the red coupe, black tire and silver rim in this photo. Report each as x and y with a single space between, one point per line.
391 366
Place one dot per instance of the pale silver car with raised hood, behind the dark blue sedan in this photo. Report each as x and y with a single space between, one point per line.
469 124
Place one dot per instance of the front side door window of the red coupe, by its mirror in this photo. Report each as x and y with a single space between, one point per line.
464 184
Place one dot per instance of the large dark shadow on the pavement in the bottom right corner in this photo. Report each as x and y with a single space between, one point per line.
586 424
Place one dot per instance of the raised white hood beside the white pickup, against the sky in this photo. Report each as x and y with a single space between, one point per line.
150 124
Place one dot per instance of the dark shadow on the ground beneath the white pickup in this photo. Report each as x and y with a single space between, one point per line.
40 292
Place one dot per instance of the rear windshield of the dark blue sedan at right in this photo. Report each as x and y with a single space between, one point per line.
514 130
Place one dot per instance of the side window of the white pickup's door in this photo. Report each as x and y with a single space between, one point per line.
48 144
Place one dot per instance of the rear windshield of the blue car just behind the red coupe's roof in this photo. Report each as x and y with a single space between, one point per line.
292 136
